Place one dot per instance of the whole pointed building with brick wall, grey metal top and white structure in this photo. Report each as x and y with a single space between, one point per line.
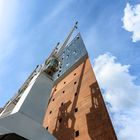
60 100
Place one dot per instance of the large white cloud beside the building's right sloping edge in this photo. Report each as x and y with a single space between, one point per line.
122 94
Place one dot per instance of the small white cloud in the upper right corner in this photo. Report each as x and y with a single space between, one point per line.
131 20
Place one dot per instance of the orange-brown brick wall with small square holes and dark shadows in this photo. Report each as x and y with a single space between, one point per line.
76 110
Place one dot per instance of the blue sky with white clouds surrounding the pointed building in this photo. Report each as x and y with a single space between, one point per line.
29 30
